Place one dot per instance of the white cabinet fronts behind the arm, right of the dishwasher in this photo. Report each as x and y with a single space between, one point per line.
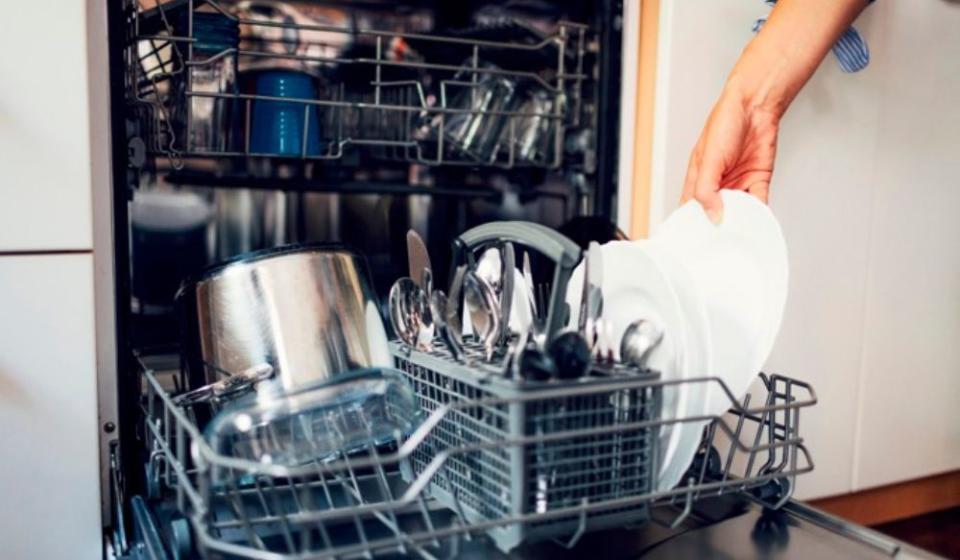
866 187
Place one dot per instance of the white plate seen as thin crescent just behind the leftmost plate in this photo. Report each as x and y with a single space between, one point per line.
685 437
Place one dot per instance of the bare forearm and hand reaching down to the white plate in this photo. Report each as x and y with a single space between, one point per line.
738 144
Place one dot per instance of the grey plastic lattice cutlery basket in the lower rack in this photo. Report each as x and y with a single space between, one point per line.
533 450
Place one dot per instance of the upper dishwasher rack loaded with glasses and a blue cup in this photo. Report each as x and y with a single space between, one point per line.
505 103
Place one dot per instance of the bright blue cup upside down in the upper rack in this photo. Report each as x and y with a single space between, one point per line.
277 126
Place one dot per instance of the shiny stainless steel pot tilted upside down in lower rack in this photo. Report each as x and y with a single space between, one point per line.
309 311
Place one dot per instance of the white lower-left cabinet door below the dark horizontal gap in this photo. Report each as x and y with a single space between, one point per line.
50 483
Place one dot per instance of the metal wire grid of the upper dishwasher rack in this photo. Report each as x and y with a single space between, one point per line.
390 120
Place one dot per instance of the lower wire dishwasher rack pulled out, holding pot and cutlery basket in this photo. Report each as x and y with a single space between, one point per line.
392 502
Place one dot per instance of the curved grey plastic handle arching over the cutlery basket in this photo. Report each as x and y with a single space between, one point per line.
564 253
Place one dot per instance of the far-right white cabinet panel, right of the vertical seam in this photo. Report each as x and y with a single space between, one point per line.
910 394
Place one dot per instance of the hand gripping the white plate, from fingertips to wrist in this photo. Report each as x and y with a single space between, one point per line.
736 150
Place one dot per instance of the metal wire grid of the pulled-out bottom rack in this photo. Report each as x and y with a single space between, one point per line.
362 506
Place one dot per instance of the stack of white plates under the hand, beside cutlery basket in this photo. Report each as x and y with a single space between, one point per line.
717 291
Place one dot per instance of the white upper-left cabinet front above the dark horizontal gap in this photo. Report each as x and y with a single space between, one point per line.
45 128
